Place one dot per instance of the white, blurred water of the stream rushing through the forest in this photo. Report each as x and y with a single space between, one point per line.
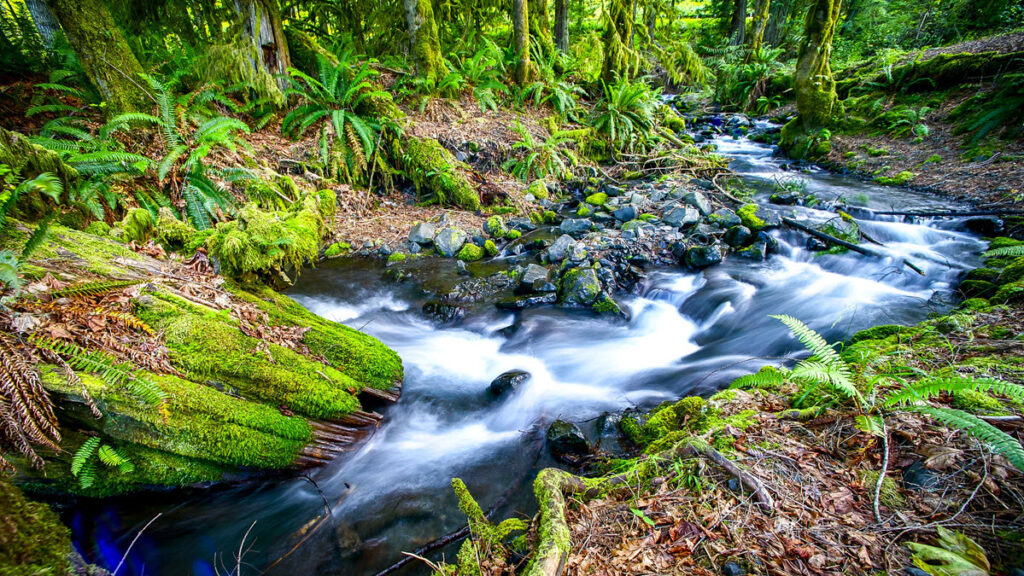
690 334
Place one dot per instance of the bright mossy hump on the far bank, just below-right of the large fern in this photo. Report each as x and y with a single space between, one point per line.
437 175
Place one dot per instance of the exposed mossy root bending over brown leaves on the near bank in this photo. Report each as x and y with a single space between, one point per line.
553 485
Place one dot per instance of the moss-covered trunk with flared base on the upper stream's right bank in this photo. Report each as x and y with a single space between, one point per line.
818 103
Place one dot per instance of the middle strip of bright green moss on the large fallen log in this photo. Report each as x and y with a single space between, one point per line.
207 345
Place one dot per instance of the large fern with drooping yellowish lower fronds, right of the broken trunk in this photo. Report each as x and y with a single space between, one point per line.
348 140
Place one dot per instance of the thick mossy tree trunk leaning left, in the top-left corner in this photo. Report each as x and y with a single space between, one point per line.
104 53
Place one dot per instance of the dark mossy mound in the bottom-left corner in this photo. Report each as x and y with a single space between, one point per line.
32 539
